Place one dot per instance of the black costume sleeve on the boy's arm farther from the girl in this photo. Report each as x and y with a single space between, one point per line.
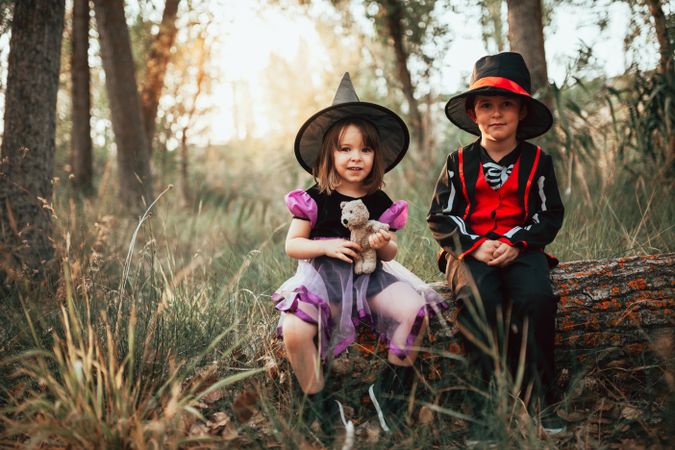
547 211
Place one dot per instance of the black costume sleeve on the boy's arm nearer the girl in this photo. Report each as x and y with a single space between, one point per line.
445 216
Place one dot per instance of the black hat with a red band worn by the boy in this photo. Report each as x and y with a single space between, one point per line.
502 74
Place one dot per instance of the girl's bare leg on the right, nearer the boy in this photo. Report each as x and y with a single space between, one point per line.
400 302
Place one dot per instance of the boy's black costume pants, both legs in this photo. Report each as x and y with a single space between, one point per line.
524 288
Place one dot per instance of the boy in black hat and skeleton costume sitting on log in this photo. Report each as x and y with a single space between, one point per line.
496 205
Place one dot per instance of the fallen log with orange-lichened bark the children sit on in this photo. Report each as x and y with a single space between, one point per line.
610 311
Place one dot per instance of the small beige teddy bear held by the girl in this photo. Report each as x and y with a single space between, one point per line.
355 217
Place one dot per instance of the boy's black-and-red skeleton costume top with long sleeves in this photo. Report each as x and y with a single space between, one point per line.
458 204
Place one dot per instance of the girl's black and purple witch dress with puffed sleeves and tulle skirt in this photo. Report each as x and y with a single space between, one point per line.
325 291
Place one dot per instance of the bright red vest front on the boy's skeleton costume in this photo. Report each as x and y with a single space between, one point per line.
497 210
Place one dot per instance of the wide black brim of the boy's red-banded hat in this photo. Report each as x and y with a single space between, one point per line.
537 121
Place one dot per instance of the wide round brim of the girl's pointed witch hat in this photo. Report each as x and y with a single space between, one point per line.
394 135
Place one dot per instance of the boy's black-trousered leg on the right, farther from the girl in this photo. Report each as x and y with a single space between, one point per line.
531 294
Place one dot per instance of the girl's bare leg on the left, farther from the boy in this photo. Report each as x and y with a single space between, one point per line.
302 353
